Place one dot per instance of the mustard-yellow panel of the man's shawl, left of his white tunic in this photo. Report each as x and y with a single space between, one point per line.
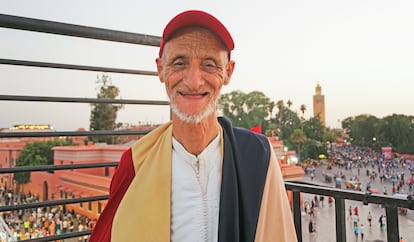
144 212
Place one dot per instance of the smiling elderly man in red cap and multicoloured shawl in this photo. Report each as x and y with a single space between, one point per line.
197 178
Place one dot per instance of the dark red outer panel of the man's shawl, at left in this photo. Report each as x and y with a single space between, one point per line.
119 185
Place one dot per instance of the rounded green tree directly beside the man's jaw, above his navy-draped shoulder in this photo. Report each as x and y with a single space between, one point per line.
246 110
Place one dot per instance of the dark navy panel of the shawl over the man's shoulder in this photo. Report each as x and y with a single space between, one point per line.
245 165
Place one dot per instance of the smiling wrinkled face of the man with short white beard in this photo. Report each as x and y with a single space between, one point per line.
194 67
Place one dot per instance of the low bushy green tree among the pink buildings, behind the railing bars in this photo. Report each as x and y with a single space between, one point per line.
37 153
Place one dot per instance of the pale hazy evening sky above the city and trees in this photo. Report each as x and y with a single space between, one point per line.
360 51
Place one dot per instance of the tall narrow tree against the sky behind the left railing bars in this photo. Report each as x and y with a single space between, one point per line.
103 115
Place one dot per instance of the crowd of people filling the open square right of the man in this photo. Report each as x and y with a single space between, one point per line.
367 167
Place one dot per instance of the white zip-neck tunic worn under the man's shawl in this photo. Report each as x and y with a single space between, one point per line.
195 193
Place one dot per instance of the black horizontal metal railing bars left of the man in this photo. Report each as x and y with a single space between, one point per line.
37 25
